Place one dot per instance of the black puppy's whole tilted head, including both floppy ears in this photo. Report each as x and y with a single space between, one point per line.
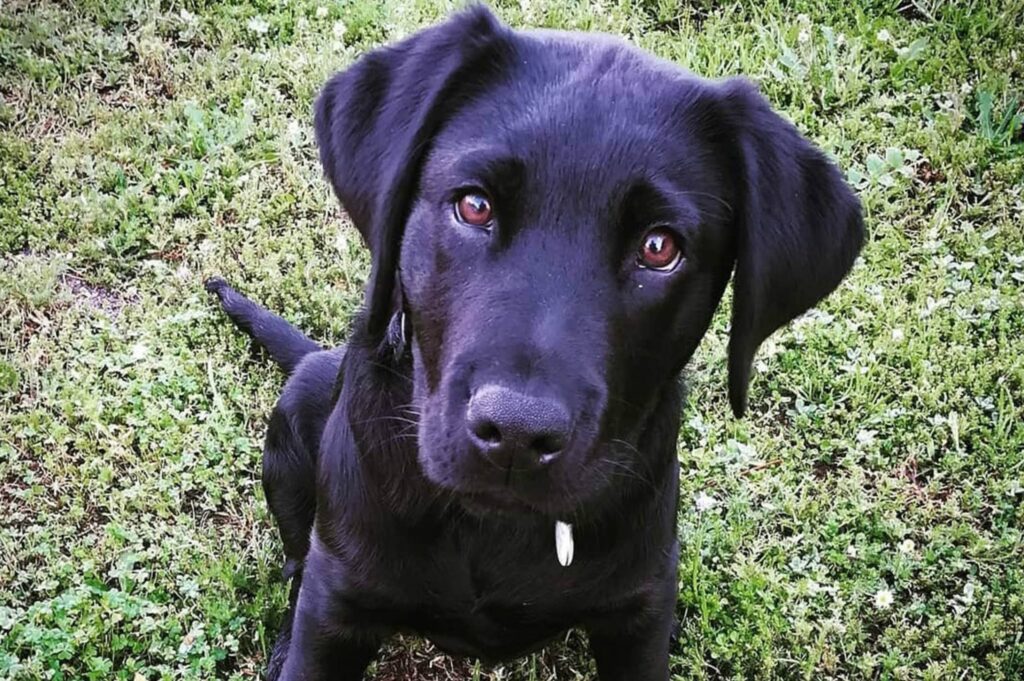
559 216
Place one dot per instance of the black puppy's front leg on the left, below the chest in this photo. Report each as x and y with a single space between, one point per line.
323 649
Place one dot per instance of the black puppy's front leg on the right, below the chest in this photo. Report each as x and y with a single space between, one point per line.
633 649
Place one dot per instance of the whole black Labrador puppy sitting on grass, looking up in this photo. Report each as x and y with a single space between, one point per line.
553 219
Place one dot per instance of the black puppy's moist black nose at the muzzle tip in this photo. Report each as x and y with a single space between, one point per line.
516 431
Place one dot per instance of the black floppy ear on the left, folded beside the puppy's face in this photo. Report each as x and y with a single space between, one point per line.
375 122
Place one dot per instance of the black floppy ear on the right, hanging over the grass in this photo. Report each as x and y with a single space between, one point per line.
799 229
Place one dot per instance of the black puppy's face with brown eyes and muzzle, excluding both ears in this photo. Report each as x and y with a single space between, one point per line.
560 268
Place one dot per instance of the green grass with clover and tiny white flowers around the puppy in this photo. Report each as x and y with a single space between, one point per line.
864 522
